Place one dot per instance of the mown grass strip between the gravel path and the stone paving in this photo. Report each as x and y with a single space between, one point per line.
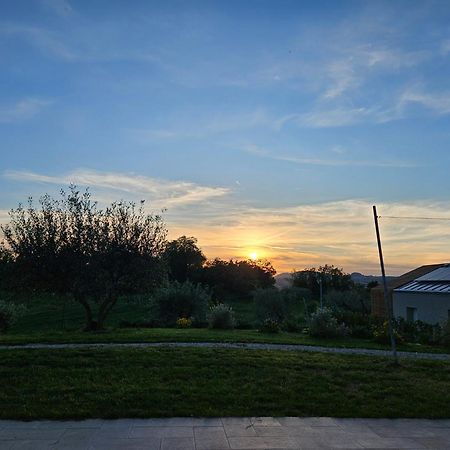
111 383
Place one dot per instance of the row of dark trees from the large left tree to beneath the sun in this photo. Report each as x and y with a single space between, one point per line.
69 246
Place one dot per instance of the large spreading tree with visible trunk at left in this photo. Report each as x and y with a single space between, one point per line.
71 246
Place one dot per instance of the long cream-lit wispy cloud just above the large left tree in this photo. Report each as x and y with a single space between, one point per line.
161 193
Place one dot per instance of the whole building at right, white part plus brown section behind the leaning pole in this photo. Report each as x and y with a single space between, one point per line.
422 294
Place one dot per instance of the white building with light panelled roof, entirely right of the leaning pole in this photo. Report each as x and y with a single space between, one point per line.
426 298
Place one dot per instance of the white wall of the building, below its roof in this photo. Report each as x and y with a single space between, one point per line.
431 307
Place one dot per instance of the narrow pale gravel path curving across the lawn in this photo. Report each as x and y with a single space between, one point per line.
251 346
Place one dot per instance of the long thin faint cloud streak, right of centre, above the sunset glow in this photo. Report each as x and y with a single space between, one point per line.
317 161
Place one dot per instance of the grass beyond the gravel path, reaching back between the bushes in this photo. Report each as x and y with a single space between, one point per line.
50 319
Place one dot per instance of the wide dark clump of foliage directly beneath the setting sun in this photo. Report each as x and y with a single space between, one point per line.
236 278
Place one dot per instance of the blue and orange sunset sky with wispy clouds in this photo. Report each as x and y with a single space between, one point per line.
267 127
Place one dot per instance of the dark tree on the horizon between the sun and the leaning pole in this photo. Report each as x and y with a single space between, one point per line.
332 278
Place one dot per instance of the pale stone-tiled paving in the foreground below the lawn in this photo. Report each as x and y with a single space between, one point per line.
226 433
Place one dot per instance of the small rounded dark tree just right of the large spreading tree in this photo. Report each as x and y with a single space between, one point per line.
184 258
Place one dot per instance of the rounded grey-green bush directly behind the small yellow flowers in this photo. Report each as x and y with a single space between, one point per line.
180 300
